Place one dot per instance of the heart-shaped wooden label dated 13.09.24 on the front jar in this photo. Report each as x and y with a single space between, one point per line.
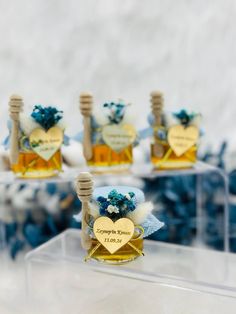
113 235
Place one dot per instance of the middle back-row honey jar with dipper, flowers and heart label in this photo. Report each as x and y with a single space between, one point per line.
108 135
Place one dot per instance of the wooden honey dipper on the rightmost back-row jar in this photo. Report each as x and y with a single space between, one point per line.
157 109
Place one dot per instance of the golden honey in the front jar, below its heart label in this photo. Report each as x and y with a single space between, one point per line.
123 255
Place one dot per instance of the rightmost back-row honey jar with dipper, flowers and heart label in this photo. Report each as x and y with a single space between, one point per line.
175 136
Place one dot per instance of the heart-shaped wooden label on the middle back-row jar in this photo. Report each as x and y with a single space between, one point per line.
118 137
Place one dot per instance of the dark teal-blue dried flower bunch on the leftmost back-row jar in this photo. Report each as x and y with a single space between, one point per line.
47 117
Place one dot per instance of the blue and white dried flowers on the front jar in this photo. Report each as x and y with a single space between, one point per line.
116 205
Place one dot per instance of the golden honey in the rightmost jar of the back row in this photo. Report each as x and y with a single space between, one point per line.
169 160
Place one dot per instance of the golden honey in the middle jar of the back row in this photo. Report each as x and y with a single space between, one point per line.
104 156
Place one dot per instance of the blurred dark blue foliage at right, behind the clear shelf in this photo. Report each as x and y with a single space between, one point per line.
176 197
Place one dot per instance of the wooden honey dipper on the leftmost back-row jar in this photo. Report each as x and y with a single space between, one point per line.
15 107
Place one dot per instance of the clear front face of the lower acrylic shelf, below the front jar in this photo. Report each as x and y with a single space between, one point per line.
74 289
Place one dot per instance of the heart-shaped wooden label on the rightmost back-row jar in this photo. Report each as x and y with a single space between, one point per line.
182 138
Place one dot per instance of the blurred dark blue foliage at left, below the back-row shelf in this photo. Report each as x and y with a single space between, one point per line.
40 225
